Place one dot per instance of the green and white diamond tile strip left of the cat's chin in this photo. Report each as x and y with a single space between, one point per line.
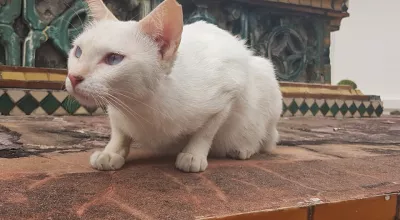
41 102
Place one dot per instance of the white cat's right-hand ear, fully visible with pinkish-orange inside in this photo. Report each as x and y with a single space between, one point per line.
164 25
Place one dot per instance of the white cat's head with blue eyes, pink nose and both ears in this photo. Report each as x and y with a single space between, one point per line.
113 59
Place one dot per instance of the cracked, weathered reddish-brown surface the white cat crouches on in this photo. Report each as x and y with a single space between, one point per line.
45 172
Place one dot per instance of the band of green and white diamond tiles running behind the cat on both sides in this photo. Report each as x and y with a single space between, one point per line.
49 102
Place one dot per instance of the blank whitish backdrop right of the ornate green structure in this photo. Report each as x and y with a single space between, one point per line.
366 49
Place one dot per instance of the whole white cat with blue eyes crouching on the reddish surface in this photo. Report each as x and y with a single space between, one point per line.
194 89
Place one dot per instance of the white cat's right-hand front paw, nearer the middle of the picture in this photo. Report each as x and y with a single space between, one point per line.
188 162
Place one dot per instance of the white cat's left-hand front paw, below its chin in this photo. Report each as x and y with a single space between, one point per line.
106 160
